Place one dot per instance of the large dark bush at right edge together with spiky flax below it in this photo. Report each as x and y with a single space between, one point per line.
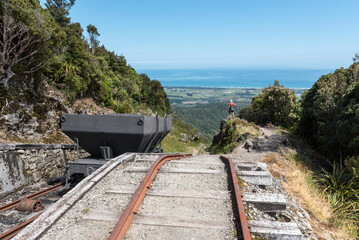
329 123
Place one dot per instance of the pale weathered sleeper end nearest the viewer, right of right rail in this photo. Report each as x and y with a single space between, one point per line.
275 230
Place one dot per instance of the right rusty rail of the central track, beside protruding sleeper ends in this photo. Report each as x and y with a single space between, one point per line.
238 200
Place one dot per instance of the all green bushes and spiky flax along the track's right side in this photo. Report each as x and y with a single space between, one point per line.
326 120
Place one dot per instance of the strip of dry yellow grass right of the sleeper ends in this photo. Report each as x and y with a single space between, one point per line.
297 182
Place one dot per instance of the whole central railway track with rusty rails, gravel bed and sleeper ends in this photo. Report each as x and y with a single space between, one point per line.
153 196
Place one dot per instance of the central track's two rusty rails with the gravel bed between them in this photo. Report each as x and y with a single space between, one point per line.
174 205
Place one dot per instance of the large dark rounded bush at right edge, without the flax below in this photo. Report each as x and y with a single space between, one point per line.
329 119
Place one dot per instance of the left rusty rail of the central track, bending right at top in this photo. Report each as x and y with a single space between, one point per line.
128 215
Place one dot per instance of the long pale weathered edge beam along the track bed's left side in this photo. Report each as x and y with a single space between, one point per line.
52 214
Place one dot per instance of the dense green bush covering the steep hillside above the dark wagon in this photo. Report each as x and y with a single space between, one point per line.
69 62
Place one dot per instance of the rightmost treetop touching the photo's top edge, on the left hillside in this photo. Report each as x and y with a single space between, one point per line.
59 10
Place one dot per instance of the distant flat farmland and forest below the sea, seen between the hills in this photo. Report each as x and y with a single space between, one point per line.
204 107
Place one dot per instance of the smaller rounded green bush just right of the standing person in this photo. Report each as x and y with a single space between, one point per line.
276 104
